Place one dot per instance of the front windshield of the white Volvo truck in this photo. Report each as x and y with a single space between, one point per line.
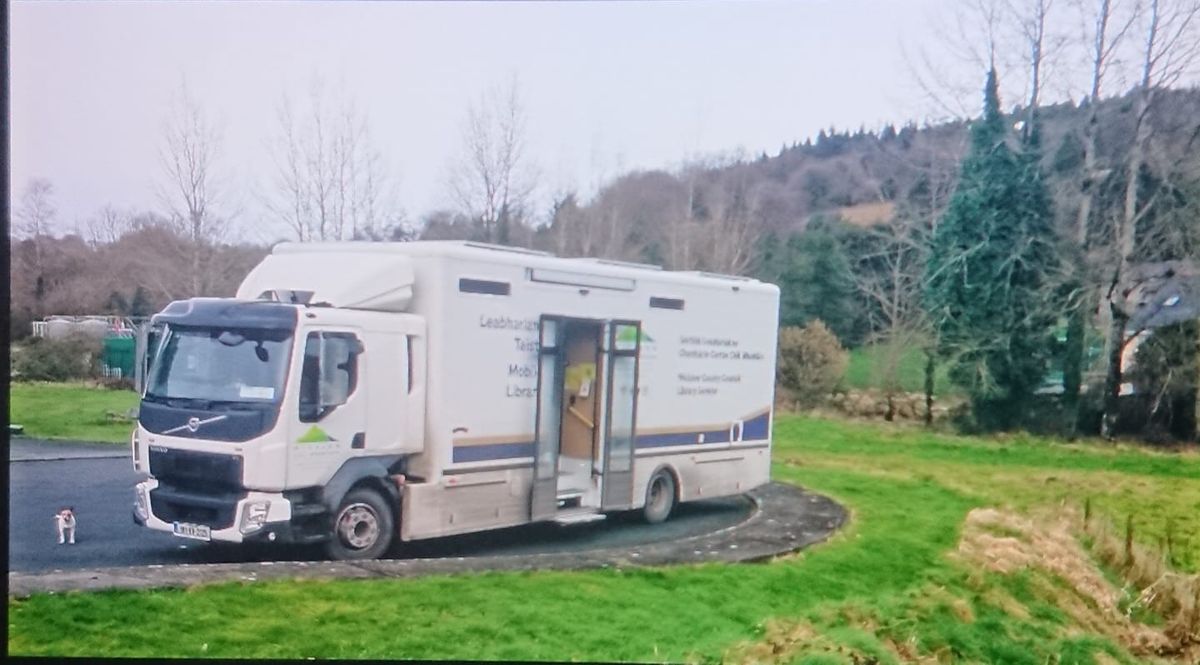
220 366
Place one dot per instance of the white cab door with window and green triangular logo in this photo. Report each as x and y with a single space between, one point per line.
329 418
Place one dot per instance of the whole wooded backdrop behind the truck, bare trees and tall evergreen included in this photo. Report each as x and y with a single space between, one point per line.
1001 248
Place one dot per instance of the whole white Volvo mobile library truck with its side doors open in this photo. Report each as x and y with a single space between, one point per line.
467 387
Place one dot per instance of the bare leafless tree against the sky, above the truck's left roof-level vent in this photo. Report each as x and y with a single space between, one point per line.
493 181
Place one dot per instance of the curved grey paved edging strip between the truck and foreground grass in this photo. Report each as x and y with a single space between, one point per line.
773 520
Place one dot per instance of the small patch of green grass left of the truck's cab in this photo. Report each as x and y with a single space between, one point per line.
71 411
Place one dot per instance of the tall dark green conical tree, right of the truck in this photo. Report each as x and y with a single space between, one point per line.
988 279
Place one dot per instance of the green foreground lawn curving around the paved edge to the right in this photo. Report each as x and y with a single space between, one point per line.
889 589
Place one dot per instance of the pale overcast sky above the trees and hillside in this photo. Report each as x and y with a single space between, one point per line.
608 87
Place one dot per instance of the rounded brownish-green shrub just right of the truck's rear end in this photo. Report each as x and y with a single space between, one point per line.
812 362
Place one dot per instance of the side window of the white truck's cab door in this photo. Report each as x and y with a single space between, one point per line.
331 374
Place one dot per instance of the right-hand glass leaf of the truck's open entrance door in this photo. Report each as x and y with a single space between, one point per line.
622 354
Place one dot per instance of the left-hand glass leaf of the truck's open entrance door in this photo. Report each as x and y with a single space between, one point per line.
548 428
